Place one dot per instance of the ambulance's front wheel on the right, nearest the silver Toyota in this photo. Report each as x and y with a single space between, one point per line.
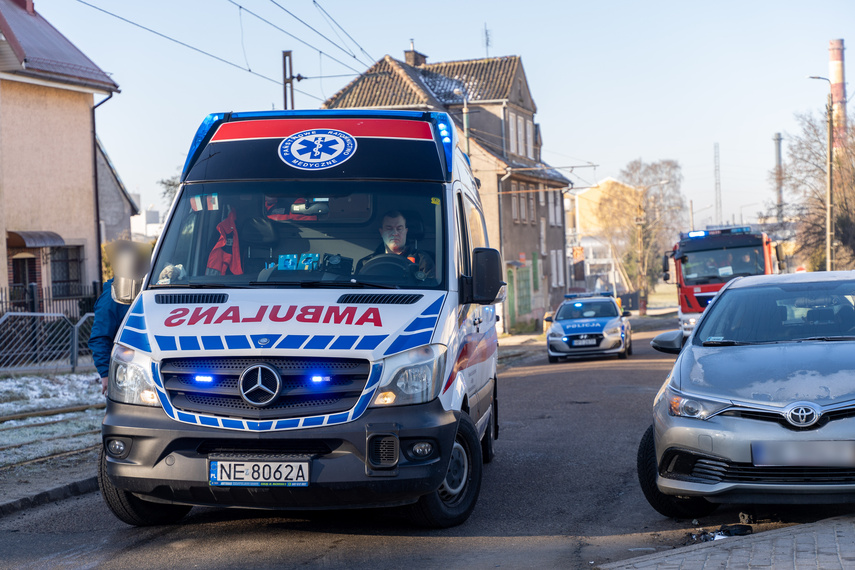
454 501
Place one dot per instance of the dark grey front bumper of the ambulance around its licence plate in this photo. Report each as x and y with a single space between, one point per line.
167 461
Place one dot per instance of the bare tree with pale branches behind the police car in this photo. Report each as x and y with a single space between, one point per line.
644 221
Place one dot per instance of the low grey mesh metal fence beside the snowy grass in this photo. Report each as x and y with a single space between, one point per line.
31 341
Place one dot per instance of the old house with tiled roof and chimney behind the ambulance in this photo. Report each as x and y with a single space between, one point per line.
522 195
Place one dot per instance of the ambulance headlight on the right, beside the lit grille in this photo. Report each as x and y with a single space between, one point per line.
411 377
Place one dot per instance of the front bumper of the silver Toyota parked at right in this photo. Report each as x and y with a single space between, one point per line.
713 459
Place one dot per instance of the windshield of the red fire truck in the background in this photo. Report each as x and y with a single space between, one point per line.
719 265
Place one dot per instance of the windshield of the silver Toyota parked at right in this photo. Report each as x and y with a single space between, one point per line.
780 313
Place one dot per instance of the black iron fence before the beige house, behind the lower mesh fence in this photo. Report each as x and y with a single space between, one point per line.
72 300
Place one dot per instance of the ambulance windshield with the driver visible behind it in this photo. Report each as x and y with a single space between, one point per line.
304 234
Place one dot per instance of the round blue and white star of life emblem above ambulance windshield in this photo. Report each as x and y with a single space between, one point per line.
317 149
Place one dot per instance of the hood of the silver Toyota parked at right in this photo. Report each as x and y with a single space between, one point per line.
775 374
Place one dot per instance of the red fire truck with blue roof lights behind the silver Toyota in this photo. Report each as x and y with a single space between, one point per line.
705 260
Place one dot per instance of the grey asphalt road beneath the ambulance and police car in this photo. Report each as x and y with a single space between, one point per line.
561 493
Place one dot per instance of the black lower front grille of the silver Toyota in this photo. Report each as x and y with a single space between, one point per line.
689 466
